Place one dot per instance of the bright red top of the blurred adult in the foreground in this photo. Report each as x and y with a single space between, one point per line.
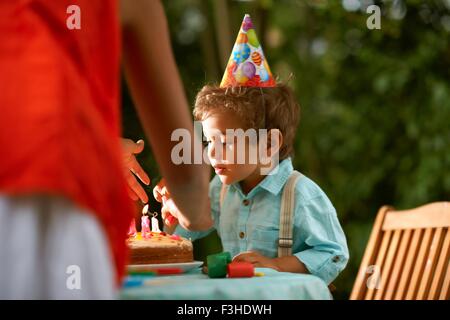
59 108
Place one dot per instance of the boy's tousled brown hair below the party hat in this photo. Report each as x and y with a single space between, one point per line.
259 108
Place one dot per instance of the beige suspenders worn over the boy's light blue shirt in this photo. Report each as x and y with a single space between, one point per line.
287 210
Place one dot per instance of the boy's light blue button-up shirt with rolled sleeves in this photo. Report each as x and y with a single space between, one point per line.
251 222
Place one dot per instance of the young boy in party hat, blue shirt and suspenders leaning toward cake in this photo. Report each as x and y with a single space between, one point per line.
250 208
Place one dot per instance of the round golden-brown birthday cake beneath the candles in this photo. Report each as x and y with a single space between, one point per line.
159 247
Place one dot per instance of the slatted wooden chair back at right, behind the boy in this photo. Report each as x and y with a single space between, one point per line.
407 256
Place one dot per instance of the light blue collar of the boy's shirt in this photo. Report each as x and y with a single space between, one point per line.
273 182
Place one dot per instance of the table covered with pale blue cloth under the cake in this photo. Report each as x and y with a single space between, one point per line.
194 285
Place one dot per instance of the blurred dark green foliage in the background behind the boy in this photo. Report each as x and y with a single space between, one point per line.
375 125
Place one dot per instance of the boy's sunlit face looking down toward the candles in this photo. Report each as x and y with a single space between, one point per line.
224 155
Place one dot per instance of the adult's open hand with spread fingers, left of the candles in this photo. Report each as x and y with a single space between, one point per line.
133 168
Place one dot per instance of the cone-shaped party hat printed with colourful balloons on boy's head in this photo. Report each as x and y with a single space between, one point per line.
247 66
